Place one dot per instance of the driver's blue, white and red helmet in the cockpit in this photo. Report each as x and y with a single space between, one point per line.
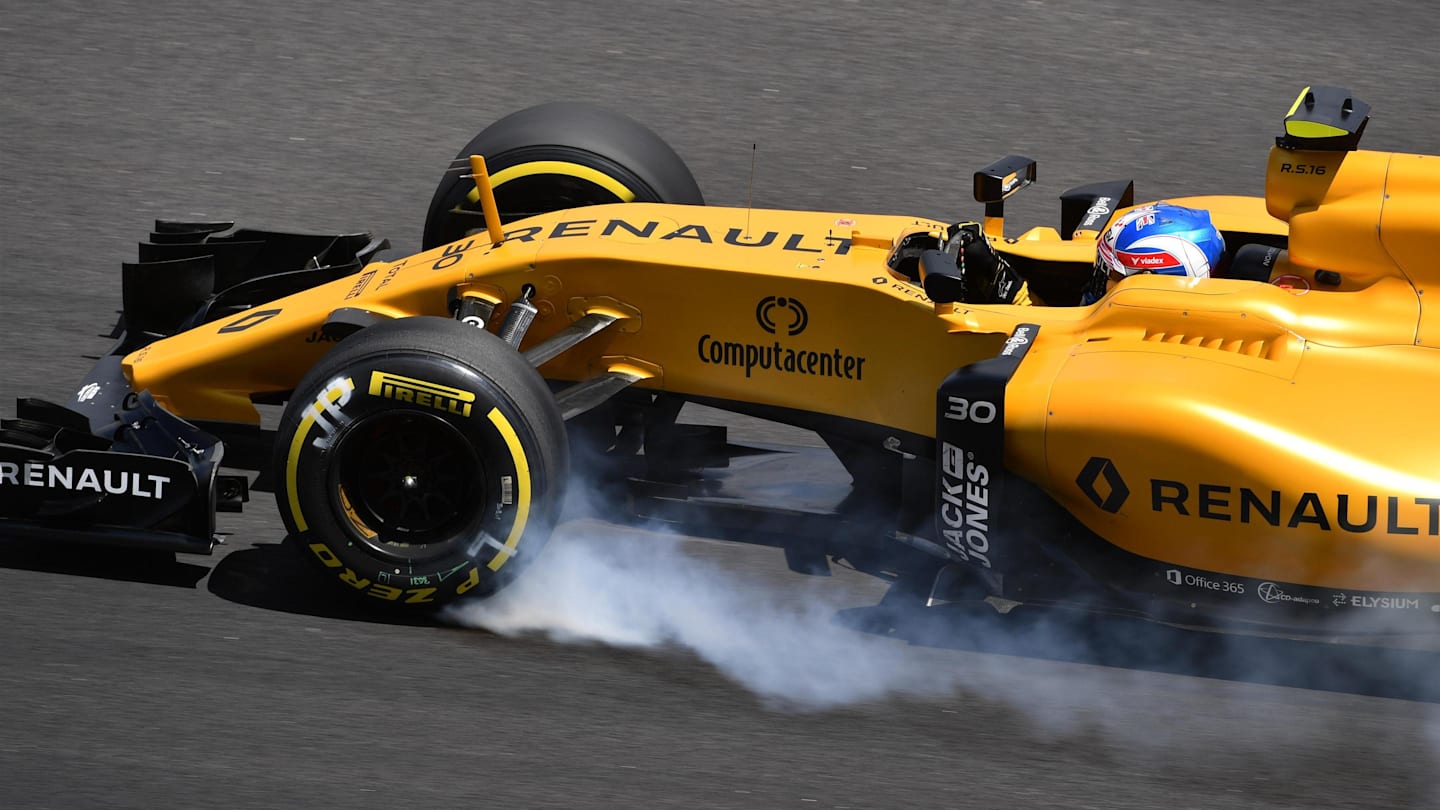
1163 239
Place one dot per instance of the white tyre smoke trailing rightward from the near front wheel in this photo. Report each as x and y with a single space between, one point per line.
778 636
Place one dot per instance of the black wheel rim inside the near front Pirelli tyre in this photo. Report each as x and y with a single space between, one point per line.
408 485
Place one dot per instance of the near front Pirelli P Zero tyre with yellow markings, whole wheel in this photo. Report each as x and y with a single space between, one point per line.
421 462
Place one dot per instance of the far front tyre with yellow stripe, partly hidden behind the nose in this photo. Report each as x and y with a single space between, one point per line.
554 158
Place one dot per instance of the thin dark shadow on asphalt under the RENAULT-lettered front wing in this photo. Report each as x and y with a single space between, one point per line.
102 563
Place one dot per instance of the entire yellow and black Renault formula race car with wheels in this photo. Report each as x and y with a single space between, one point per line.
1249 448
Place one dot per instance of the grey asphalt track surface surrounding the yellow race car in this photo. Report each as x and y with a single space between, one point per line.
233 681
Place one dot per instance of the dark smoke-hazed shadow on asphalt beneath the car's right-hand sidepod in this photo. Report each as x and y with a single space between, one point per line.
1395 668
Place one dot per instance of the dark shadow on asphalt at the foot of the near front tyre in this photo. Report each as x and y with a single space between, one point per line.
276 577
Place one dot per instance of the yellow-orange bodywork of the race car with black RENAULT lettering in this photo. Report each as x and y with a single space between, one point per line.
1262 430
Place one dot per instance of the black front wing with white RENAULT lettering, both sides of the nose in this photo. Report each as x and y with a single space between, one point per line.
114 468
